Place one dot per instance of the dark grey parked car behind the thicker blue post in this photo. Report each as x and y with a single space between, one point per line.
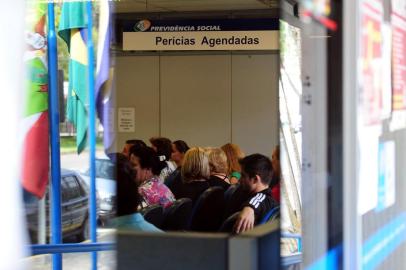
74 208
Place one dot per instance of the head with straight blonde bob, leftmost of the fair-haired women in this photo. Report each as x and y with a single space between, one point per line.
195 165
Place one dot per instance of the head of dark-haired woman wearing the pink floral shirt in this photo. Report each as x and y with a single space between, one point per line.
146 163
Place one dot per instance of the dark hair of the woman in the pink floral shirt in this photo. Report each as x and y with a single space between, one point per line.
148 159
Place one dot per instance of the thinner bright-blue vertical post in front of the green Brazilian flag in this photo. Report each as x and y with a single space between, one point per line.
92 133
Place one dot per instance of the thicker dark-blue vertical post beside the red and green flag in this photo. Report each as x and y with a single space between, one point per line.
56 237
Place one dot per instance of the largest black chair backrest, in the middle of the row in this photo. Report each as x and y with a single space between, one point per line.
208 211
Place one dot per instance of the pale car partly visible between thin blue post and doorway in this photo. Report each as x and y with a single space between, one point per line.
105 188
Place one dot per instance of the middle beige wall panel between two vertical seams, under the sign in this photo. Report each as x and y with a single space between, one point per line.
196 99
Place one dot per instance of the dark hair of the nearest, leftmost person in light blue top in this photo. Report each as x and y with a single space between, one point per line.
127 198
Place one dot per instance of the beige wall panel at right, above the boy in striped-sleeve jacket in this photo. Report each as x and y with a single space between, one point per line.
255 124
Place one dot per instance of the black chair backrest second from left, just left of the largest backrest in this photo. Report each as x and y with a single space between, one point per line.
177 215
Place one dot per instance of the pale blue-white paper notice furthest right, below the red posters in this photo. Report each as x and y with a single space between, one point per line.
386 178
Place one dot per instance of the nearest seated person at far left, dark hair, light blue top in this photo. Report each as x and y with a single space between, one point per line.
128 198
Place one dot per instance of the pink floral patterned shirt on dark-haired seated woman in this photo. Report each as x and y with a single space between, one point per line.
155 192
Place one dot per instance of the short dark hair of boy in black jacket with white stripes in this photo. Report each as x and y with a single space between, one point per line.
257 164
